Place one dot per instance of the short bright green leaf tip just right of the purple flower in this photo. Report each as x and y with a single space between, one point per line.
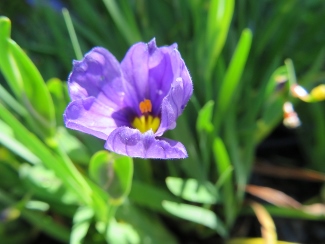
204 120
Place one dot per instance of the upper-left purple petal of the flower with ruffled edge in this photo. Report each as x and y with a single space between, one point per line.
98 75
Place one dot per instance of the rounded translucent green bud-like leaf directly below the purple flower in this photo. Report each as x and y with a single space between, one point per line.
113 173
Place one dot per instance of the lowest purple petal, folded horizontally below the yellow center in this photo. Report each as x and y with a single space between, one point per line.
133 143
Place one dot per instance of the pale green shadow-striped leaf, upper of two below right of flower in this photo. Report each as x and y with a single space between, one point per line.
192 190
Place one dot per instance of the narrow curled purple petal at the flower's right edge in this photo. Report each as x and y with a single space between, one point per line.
174 103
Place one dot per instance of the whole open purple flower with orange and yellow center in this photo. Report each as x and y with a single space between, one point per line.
132 103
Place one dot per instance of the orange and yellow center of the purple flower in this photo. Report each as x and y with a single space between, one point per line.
146 121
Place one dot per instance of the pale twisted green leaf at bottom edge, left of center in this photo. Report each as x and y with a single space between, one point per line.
81 223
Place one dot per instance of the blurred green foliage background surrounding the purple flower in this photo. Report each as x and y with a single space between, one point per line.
250 163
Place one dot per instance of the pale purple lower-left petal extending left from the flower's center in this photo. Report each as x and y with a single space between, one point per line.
93 117
